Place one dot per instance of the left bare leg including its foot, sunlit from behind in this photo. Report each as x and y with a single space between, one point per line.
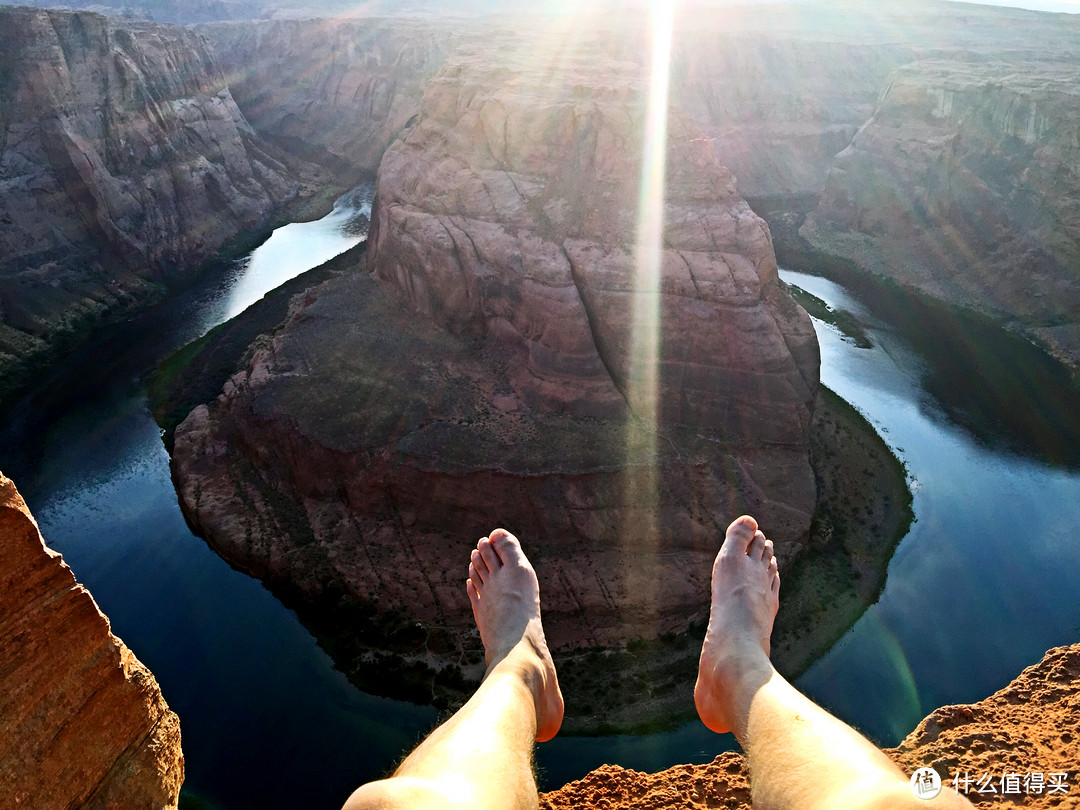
482 758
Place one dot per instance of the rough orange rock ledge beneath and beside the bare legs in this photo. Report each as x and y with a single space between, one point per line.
1031 727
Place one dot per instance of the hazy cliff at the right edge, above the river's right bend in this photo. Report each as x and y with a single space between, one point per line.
964 184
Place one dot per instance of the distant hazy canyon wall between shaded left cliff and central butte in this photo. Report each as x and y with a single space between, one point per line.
335 90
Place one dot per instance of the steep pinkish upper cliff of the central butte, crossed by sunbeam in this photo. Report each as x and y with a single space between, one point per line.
476 232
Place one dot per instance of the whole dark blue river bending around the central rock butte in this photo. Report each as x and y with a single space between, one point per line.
988 579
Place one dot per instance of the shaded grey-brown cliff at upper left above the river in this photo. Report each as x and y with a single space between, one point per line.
124 160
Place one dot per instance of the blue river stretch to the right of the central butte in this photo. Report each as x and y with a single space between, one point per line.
988 579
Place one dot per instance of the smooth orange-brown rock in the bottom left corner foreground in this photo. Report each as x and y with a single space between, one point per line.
84 723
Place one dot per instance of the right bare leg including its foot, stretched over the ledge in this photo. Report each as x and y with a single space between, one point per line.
800 755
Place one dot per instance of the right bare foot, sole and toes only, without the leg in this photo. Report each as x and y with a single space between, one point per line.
746 598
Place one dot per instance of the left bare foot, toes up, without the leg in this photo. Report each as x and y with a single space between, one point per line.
506 601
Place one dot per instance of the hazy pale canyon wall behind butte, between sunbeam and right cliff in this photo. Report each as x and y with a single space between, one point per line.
779 106
